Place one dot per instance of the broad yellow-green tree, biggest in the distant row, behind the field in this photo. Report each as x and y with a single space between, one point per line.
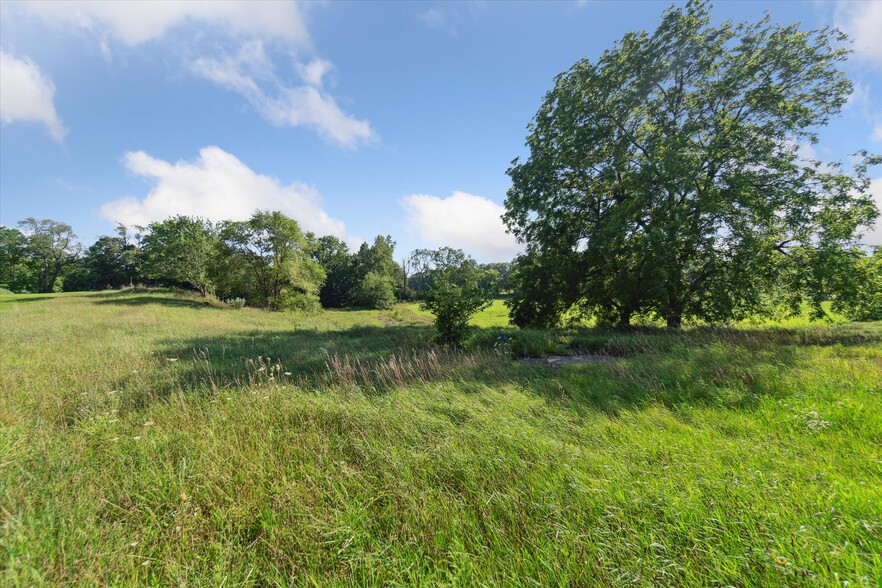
268 258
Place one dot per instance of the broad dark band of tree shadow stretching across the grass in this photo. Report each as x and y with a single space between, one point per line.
727 368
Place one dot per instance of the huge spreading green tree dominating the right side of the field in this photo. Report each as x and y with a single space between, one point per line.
666 178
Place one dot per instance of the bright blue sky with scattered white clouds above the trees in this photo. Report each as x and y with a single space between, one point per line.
355 118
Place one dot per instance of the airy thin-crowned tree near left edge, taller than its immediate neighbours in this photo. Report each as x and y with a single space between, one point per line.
51 246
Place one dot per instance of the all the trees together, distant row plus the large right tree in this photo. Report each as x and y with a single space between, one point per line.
665 181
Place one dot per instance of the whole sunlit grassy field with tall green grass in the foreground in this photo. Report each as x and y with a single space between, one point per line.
149 438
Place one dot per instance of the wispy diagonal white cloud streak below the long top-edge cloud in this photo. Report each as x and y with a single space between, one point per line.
251 74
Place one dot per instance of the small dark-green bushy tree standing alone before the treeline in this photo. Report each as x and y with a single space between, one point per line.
456 294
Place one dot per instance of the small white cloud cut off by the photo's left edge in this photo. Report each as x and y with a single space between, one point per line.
27 95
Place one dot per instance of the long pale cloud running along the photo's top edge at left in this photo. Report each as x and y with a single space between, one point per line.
135 22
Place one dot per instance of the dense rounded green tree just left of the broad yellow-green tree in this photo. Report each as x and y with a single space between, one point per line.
179 251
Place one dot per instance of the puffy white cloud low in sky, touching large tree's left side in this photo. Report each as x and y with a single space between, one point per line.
461 220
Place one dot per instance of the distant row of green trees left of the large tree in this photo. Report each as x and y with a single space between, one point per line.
267 261
